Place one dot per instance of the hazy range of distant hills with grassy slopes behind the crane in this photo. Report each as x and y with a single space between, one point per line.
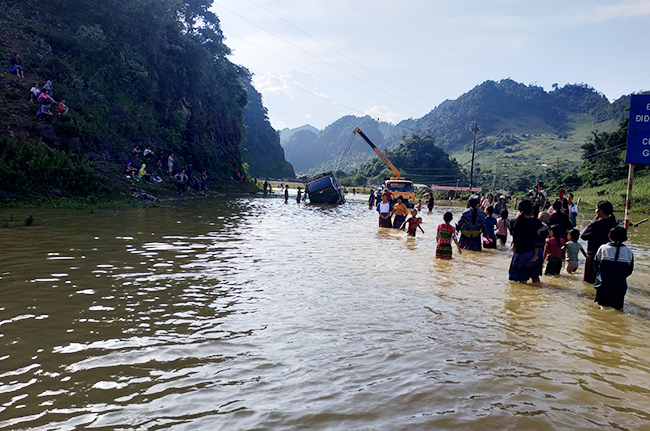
523 129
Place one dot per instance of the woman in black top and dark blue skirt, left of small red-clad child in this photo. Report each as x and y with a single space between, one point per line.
524 263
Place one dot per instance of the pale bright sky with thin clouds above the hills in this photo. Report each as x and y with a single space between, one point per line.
315 61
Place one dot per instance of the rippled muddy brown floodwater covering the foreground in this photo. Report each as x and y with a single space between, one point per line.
246 313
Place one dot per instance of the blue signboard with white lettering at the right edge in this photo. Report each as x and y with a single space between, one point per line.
638 135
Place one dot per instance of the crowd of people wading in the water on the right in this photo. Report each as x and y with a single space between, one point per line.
537 237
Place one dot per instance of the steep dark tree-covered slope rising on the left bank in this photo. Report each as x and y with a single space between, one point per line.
133 72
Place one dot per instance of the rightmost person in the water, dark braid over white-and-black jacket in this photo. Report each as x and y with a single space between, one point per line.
613 262
